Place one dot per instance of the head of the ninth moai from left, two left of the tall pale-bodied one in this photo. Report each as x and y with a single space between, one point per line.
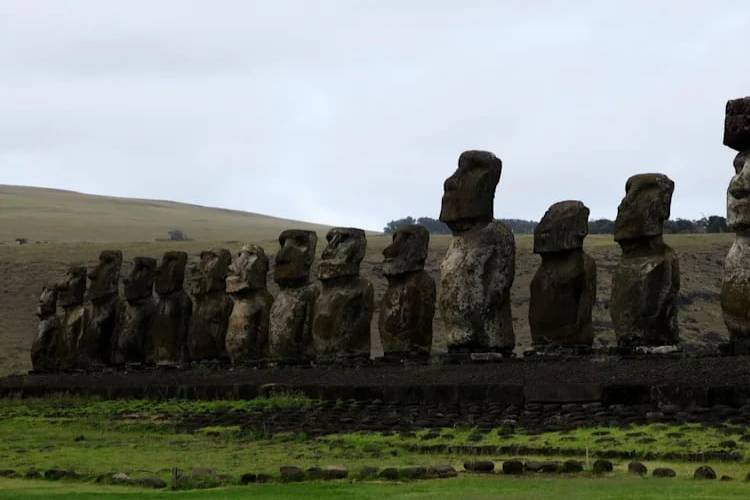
343 253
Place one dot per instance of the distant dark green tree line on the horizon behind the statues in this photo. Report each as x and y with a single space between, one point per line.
711 224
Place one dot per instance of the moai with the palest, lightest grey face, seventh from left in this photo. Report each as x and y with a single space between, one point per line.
247 334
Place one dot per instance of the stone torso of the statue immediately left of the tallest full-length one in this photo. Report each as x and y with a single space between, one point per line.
406 313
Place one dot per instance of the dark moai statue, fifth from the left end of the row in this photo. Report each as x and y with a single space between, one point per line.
166 342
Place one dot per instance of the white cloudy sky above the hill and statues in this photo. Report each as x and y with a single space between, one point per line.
354 112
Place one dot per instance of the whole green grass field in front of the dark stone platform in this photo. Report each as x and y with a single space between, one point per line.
97 438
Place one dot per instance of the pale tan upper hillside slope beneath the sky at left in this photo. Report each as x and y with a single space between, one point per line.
53 215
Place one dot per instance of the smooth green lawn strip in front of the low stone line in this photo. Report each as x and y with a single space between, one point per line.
461 488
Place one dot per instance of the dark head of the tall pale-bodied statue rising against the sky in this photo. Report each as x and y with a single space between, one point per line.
470 192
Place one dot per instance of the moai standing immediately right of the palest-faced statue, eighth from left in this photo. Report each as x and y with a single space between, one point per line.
290 338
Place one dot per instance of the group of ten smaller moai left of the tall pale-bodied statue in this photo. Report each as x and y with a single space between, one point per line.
229 314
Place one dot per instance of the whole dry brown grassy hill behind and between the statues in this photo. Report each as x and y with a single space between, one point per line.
76 227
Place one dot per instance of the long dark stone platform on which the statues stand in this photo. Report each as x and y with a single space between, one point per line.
680 382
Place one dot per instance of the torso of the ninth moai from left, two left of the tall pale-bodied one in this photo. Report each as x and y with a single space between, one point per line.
343 313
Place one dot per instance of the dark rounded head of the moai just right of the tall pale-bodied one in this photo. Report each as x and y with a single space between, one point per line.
563 227
